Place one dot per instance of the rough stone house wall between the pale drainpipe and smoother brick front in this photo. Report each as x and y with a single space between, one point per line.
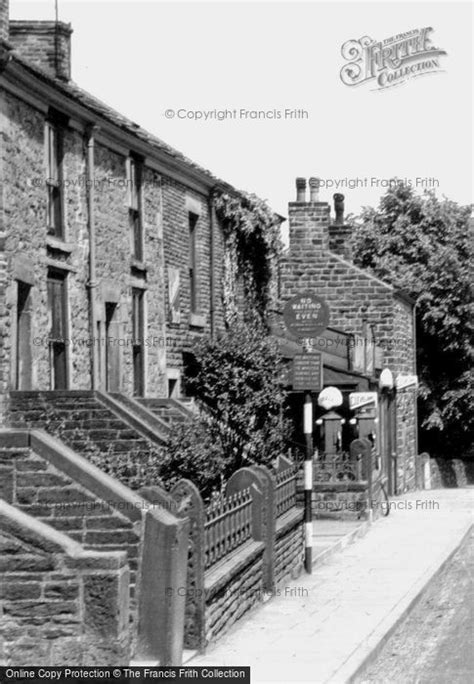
114 264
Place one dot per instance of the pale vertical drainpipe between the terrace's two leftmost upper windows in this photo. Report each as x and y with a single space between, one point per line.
92 284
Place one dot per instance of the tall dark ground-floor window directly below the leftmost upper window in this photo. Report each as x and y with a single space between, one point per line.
57 343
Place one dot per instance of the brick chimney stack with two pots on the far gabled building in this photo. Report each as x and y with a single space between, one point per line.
308 220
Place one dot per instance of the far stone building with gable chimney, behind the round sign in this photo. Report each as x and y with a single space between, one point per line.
361 305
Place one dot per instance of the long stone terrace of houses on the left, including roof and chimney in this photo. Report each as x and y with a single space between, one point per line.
113 256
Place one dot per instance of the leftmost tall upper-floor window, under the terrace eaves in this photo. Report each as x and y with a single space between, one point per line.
54 155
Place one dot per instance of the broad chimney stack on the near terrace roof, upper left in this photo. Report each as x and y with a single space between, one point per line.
46 44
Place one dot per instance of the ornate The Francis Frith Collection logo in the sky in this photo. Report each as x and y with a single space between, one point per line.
392 61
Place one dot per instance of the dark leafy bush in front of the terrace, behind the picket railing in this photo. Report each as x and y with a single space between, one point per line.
236 381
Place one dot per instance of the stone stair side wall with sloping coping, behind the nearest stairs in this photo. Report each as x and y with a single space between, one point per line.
91 424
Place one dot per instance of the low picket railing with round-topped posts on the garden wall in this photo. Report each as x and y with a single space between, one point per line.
249 510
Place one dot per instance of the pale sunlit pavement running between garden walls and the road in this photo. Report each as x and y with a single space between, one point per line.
325 627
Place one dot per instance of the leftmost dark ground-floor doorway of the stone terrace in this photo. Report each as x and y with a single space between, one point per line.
23 337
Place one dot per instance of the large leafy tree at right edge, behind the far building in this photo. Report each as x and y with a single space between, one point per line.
423 245
